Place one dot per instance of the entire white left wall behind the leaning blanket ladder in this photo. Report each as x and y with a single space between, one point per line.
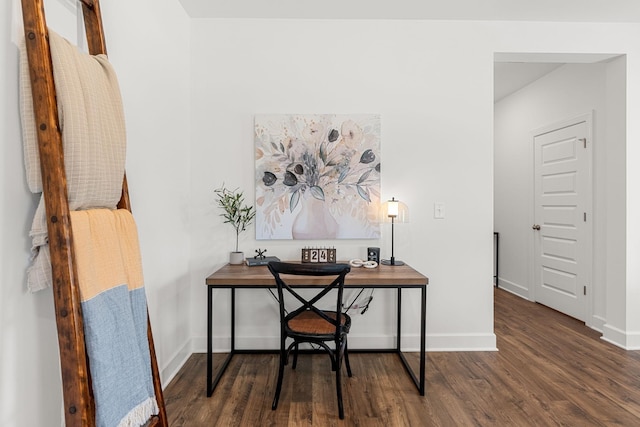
153 67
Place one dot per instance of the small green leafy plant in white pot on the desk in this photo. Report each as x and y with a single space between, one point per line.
235 213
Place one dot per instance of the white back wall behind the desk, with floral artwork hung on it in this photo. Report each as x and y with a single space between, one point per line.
432 84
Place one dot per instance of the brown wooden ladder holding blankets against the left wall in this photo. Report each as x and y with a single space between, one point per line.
79 407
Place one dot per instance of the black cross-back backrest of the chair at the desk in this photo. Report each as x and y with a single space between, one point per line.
338 270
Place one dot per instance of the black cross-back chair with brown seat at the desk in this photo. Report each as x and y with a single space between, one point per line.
309 324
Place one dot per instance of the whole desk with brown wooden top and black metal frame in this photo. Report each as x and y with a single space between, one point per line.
243 277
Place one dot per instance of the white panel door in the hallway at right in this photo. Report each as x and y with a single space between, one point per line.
562 235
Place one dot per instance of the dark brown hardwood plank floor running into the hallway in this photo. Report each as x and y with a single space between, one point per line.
550 370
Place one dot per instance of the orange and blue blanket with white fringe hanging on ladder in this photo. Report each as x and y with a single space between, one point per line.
114 310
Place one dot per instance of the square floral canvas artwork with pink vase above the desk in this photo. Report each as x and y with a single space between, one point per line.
317 176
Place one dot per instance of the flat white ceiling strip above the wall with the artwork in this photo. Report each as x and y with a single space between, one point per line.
510 10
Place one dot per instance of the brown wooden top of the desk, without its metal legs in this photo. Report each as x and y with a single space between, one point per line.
383 276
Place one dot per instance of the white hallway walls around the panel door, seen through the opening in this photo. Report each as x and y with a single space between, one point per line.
565 93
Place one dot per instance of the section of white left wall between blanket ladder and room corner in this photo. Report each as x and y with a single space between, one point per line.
148 43
